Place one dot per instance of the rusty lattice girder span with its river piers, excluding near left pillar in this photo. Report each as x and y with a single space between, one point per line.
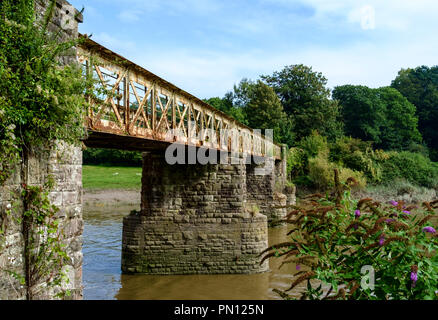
209 183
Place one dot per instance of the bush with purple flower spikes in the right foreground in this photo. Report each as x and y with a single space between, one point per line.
334 238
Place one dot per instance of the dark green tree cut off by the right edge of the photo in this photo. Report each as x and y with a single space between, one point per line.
420 87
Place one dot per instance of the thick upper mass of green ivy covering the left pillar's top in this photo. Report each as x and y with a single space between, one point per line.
41 100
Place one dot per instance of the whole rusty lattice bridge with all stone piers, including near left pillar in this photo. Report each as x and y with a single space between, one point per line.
209 183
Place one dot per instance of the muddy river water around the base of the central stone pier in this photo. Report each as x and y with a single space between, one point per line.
103 280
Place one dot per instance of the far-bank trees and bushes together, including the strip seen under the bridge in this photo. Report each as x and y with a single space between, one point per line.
376 135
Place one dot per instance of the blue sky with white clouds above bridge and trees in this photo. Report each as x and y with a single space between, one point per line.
206 46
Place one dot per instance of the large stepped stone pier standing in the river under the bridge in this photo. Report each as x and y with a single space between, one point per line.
193 220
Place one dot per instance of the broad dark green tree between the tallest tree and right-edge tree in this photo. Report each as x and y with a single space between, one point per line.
381 115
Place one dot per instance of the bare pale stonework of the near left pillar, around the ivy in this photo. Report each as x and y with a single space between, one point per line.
64 164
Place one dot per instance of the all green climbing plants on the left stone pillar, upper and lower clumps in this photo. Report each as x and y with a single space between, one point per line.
41 102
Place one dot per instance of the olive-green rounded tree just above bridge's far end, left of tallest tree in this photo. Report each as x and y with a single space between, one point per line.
264 111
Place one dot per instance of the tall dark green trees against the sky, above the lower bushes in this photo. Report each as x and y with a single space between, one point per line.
296 101
